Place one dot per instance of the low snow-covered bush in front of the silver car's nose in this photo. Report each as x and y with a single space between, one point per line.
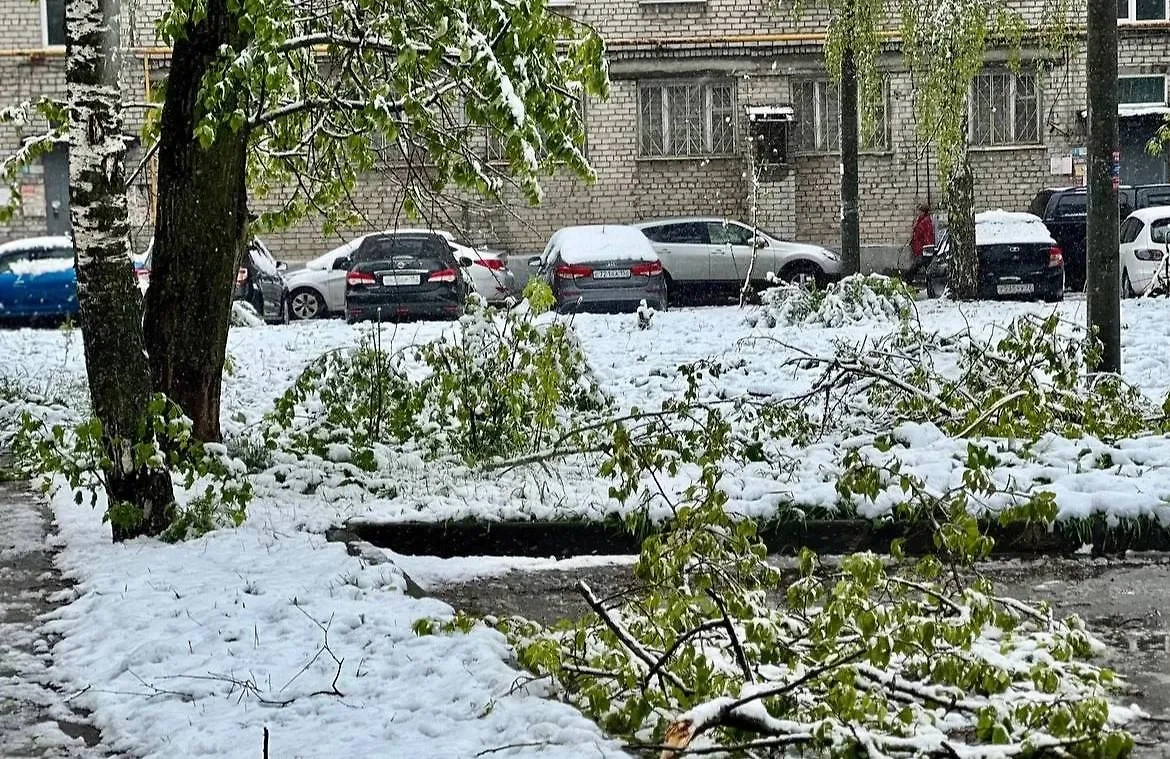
854 300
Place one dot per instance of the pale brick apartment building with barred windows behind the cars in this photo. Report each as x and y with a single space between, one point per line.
693 84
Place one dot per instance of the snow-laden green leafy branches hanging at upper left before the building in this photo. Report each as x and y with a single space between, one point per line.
378 84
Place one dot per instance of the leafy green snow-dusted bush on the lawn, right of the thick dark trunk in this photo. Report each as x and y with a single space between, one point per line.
501 385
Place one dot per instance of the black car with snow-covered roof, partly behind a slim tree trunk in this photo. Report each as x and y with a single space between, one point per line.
1018 259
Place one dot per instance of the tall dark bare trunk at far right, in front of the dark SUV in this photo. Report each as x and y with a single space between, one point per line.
1103 288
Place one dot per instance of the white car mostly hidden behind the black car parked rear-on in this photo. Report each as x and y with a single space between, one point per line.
319 289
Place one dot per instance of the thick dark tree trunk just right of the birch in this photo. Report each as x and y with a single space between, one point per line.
201 232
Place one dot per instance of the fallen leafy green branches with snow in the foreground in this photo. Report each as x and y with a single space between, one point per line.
837 661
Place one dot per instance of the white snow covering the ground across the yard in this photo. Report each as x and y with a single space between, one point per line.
194 650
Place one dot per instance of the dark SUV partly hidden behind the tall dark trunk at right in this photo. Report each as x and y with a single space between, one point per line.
1065 210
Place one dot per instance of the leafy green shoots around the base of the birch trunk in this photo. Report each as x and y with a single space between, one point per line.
86 458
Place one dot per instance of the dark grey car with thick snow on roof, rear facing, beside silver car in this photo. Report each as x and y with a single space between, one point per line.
611 267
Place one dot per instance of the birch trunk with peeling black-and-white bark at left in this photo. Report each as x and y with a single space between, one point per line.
120 383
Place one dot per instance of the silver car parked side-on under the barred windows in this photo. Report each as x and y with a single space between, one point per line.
715 256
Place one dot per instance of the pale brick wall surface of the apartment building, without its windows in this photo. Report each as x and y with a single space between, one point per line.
718 38
